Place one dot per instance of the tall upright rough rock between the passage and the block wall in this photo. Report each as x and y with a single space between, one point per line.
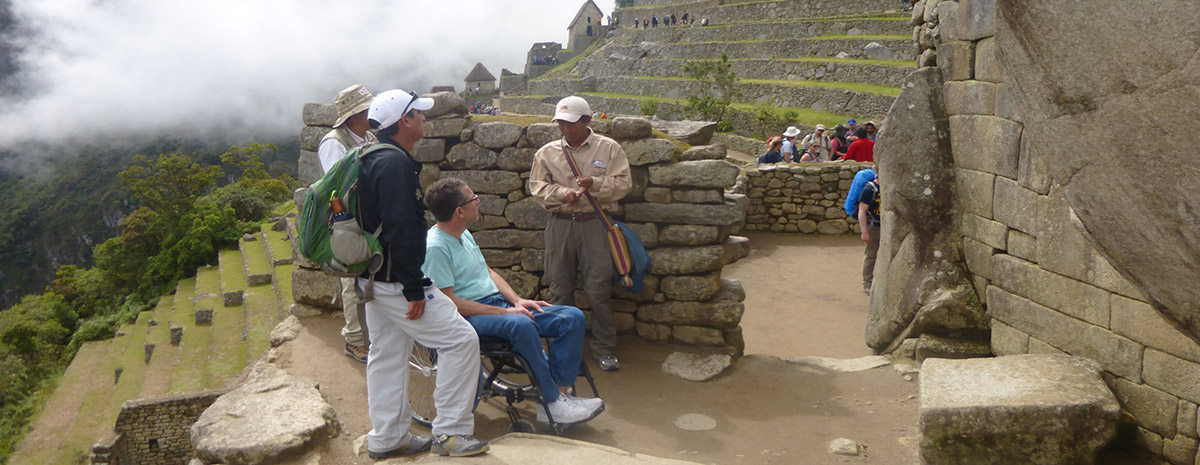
921 285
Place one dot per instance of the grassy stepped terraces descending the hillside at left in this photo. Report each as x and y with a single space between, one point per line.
167 352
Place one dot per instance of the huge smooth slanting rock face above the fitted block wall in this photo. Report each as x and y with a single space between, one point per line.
1091 112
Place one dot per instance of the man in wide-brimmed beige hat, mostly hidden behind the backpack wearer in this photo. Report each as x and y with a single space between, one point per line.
350 131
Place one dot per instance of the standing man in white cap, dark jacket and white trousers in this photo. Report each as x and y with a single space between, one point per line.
406 306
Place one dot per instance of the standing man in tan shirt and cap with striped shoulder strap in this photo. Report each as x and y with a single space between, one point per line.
575 237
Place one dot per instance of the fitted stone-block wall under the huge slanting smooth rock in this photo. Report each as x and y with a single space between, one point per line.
1047 287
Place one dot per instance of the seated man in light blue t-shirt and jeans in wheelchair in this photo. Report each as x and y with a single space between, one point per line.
459 269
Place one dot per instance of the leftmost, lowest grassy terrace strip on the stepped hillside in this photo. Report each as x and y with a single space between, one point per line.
46 440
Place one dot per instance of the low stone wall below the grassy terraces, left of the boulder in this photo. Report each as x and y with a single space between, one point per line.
154 431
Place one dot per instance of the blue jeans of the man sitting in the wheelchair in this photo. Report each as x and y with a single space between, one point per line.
566 325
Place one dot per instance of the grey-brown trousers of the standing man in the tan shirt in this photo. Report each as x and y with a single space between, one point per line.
580 246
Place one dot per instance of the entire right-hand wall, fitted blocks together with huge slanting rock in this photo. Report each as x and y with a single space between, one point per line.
1072 247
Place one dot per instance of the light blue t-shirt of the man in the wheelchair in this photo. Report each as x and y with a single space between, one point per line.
458 264
